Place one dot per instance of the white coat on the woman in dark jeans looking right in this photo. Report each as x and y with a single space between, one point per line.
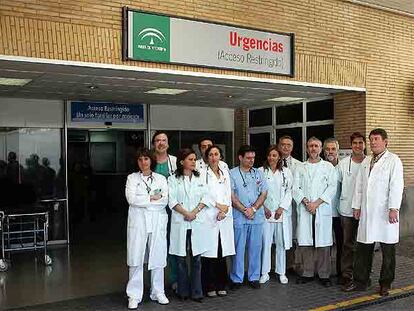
188 193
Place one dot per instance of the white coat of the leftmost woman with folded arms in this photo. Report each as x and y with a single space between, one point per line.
146 217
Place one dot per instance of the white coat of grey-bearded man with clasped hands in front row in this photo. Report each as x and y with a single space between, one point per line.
318 182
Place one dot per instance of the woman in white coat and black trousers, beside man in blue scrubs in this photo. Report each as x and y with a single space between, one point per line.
220 225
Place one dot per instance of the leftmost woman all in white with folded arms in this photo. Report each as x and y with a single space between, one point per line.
147 195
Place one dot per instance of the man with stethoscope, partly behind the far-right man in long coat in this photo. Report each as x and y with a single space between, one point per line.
347 172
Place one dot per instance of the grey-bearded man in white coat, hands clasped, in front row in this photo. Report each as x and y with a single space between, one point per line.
313 190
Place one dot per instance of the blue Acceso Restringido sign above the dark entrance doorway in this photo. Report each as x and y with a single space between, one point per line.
98 112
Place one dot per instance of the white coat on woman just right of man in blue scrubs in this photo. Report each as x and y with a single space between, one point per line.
281 182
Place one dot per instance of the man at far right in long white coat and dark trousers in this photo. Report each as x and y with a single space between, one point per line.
376 203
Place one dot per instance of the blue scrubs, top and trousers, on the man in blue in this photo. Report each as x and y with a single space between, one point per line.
247 186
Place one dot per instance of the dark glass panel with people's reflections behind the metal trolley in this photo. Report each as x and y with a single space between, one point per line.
32 168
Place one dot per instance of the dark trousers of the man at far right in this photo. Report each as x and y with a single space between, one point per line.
363 263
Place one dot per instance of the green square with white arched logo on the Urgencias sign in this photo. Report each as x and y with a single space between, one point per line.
151 37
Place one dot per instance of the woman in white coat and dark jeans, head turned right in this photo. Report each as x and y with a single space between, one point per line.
187 195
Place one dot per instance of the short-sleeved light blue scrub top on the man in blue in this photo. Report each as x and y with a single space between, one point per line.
247 186
